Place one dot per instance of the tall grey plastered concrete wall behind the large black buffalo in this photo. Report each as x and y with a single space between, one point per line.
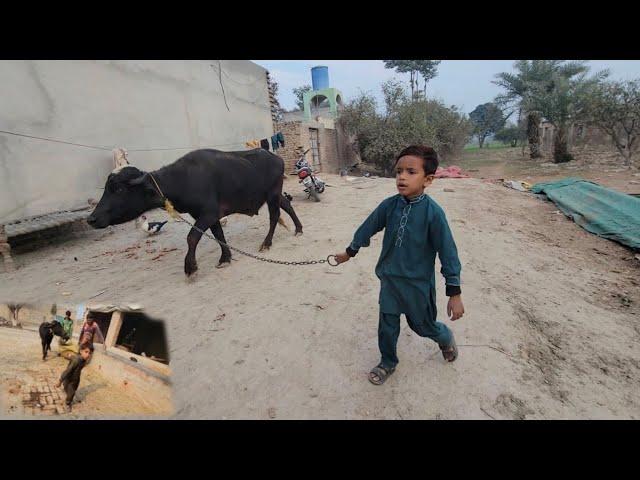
177 105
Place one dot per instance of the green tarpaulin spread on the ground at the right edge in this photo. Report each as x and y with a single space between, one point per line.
605 212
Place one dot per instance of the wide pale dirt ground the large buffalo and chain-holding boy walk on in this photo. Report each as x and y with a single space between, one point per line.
551 329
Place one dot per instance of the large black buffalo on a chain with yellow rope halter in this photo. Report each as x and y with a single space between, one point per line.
208 185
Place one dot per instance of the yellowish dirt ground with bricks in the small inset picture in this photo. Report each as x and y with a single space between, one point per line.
27 385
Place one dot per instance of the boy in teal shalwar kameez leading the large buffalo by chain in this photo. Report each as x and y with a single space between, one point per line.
415 229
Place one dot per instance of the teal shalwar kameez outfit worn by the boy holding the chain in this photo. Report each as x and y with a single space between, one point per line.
414 232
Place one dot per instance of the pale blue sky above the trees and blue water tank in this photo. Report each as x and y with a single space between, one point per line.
462 83
